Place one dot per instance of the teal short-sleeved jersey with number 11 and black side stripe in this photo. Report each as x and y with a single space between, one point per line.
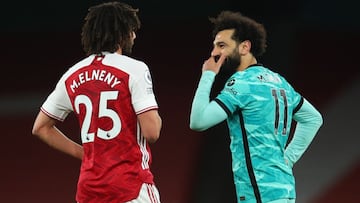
260 105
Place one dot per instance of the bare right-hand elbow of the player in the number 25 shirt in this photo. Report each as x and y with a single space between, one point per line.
150 124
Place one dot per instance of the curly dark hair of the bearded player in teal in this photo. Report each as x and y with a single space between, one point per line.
245 29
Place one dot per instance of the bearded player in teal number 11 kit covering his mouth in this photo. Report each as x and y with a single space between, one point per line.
259 106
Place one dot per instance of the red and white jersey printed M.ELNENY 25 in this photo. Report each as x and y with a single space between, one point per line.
106 93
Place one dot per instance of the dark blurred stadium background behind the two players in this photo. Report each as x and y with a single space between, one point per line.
314 44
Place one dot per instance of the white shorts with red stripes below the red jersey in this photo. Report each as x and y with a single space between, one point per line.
148 194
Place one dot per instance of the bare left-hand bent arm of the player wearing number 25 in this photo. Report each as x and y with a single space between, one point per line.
44 128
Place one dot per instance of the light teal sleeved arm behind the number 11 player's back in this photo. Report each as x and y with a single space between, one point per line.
308 121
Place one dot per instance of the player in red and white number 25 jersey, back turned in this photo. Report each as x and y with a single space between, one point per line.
112 97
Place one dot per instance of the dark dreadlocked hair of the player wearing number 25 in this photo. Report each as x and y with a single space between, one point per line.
108 26
